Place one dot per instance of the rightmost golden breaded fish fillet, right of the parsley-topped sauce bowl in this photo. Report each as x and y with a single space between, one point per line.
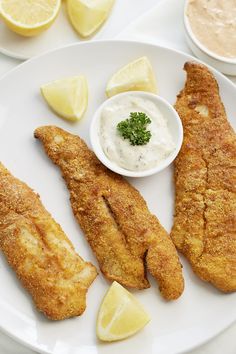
205 178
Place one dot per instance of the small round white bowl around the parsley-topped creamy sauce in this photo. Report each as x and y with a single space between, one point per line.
174 125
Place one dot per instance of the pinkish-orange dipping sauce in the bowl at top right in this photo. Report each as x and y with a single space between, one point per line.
213 22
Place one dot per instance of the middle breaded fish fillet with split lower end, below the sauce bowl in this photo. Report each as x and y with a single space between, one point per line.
122 232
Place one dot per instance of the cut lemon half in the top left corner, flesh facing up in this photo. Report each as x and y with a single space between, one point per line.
27 17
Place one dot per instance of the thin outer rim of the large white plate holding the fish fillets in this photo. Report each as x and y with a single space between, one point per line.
17 338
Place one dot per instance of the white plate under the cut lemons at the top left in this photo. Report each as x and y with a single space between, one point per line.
61 32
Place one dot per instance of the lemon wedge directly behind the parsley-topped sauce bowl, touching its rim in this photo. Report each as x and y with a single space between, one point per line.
135 76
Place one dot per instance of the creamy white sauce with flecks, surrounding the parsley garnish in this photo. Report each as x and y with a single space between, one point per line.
120 150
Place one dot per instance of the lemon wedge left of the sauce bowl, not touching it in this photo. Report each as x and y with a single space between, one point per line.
67 97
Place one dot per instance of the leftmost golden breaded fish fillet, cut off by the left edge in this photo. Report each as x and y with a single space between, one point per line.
40 253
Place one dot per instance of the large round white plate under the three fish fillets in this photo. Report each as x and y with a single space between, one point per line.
202 311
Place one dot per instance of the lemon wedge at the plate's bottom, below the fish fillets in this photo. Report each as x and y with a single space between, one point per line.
120 315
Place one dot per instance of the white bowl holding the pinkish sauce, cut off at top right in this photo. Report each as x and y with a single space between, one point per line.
225 65
